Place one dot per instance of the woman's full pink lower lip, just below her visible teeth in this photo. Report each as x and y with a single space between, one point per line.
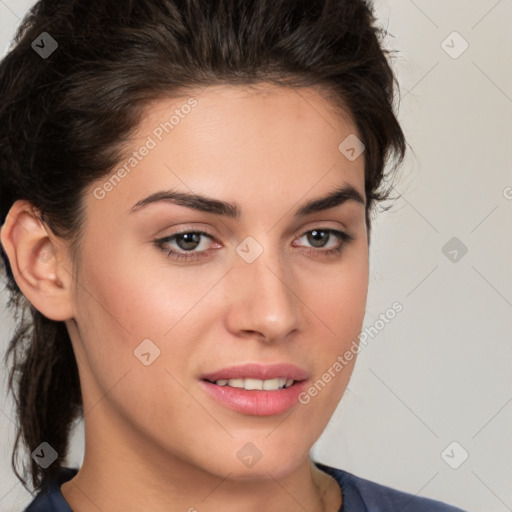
256 402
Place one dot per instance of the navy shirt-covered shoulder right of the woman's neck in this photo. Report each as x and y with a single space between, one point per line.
362 495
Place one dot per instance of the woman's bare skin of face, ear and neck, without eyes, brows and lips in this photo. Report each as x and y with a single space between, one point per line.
154 439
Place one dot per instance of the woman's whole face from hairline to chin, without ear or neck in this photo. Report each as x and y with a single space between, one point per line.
264 287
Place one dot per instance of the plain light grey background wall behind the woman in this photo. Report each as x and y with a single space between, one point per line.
441 370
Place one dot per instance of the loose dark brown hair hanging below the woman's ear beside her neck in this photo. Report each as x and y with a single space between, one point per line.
44 382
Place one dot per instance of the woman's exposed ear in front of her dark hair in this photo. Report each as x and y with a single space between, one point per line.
39 261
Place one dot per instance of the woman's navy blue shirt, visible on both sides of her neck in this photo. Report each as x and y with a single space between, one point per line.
358 495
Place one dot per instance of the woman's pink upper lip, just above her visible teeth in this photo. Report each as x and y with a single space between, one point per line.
258 371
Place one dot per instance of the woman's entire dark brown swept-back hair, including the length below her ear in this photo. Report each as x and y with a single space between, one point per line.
64 119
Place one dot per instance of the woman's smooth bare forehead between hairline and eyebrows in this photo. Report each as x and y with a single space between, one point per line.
254 144
